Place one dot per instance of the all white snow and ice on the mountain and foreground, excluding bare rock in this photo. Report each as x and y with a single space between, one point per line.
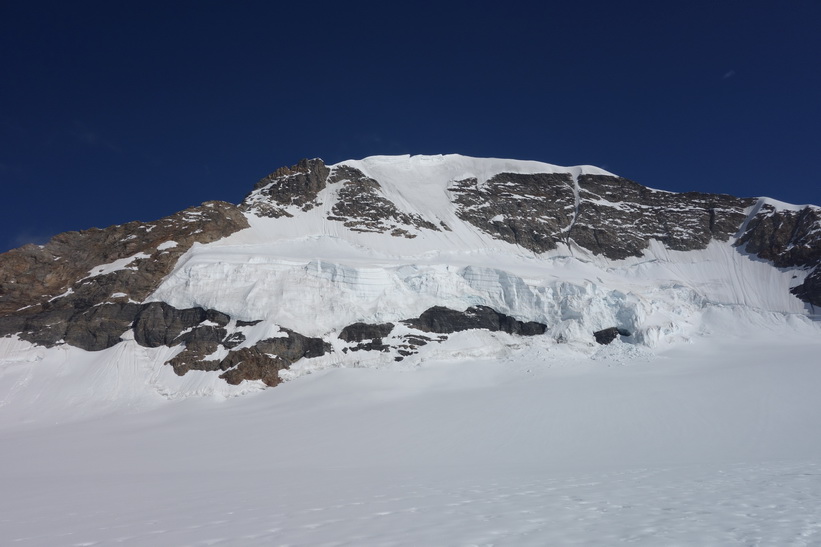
700 428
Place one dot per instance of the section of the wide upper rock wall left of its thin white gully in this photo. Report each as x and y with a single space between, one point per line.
533 211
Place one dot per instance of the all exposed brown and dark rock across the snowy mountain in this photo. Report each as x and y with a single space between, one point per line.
88 289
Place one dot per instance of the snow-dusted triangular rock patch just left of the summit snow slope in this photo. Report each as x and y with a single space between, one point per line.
362 208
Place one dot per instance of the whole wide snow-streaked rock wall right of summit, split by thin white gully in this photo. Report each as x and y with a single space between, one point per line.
613 216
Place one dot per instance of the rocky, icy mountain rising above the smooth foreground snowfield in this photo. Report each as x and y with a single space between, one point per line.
381 260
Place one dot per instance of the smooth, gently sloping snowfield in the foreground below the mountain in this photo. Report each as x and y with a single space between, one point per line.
715 442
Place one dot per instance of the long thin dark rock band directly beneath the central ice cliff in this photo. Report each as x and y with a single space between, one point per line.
445 320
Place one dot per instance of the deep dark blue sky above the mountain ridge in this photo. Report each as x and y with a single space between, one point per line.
118 111
